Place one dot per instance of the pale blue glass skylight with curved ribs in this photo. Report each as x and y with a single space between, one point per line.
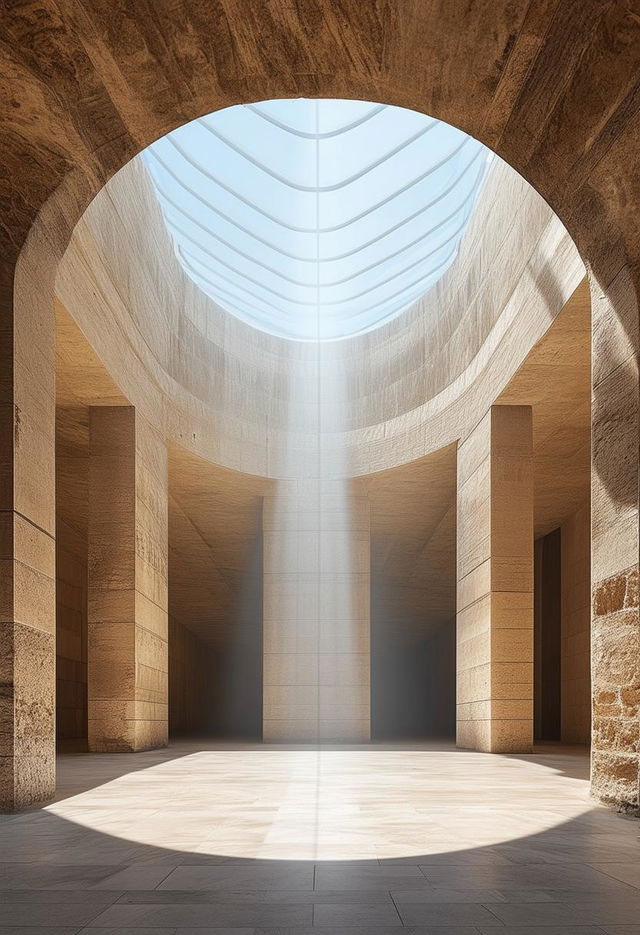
316 219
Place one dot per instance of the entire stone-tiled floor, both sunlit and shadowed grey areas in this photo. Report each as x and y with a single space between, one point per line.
252 840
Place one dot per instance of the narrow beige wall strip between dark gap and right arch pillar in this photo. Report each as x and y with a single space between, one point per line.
576 627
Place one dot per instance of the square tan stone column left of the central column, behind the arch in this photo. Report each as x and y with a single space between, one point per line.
127 584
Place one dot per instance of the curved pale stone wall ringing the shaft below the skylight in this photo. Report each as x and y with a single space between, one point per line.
223 390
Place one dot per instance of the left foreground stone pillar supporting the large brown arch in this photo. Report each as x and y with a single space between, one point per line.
27 537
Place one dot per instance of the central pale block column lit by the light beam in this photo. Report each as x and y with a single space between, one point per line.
316 614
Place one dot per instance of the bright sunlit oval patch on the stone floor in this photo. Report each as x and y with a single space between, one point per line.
359 803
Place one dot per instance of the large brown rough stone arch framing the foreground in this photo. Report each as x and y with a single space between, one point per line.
88 86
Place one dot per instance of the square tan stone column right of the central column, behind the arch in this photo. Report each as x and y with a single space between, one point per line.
495 584
